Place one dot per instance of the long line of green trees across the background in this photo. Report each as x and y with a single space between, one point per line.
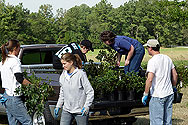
164 20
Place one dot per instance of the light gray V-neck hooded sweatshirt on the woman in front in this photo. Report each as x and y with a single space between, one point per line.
76 91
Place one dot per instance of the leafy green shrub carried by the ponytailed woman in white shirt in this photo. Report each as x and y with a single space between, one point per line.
35 94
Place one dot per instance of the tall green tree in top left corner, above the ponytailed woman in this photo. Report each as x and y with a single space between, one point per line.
13 24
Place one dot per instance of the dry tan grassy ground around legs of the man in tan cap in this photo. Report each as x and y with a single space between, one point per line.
180 112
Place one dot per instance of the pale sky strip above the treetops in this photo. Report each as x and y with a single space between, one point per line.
33 5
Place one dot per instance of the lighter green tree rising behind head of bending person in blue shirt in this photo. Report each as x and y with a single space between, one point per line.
99 21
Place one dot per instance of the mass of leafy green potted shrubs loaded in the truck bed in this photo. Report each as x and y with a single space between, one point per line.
105 78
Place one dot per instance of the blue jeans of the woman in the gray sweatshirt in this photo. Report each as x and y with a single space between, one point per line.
66 118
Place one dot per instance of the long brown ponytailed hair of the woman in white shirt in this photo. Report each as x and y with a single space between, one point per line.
8 47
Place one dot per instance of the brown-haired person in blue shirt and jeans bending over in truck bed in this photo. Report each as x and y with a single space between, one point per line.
124 45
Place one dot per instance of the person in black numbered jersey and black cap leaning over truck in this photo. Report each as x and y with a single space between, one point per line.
74 48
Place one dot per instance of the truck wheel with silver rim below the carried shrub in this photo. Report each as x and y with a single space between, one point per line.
45 119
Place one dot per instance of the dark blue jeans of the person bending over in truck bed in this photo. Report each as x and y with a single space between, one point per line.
136 59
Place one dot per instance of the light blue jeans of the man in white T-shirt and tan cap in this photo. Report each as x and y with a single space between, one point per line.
160 110
